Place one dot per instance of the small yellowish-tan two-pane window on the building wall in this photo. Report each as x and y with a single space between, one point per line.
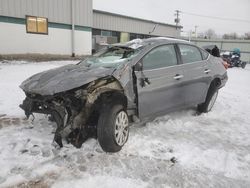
37 25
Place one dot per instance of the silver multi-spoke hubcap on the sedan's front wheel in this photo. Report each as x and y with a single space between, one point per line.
121 128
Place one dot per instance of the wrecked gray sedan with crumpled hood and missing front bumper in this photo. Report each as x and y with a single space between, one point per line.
124 84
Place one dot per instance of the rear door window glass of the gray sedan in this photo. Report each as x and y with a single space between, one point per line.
190 53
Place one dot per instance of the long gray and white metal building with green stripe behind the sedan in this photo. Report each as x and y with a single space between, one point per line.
66 27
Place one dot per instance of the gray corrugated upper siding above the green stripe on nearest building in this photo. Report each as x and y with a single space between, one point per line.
58 11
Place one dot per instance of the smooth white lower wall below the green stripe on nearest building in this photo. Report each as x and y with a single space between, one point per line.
15 40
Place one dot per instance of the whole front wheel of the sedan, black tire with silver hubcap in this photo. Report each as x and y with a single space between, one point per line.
113 128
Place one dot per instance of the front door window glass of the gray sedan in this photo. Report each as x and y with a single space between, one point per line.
163 56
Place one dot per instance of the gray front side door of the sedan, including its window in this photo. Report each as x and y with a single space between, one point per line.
159 84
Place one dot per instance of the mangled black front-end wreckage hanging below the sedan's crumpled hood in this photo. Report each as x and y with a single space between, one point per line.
64 111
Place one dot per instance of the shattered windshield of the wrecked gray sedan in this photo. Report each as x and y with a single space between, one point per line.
110 57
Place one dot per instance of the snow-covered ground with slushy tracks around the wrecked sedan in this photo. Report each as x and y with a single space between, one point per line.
176 150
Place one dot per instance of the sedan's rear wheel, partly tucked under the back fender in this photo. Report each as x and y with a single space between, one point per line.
212 92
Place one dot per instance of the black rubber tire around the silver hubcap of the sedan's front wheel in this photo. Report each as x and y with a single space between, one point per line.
107 126
